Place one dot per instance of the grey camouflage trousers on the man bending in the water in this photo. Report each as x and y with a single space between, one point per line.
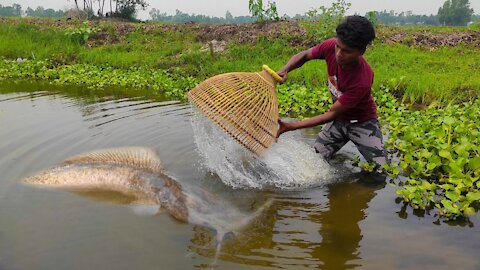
367 136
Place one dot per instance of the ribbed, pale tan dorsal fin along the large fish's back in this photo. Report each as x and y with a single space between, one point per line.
138 157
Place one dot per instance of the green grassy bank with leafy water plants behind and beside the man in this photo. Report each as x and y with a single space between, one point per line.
424 83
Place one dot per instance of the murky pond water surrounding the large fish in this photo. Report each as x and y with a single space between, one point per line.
339 224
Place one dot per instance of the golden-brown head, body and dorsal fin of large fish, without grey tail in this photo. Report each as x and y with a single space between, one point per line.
134 172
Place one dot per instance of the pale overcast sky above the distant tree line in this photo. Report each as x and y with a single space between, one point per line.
240 7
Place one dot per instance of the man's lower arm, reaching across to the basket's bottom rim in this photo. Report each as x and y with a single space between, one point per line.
336 110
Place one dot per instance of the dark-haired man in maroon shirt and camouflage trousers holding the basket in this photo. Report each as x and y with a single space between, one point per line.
353 116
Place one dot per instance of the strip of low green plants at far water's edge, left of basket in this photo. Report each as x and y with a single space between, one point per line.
169 84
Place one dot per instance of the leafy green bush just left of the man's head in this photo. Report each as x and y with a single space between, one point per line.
322 22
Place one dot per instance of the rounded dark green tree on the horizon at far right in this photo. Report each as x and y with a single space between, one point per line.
455 12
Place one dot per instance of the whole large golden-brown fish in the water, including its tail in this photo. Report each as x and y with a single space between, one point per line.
137 173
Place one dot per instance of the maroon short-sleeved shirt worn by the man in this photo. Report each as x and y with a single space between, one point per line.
351 87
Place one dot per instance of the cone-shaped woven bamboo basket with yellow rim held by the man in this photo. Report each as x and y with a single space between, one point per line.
243 104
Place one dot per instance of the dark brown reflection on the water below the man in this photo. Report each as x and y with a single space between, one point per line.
321 231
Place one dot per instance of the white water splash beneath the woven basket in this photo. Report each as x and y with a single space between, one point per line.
289 164
